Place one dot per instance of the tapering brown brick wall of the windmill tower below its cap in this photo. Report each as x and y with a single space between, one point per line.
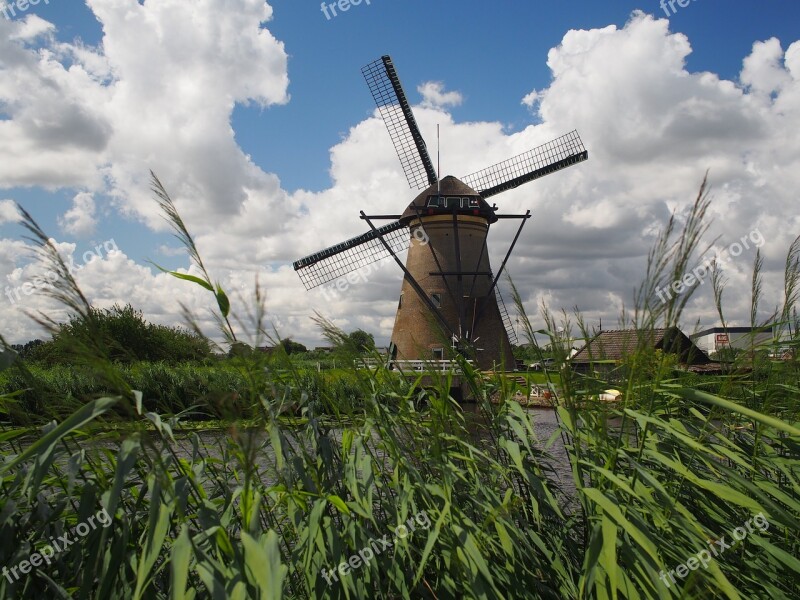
417 334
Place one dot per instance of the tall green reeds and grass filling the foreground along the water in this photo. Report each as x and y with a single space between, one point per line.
260 512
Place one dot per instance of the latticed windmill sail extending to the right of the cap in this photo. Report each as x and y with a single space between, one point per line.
558 154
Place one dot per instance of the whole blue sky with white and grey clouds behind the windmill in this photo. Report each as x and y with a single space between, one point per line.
256 118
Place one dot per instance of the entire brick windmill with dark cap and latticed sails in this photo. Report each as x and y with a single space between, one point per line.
449 300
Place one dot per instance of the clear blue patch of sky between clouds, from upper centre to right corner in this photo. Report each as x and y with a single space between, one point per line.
482 56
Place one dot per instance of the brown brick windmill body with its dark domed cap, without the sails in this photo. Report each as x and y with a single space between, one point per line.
452 268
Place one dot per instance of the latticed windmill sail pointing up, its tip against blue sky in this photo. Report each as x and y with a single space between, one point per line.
396 113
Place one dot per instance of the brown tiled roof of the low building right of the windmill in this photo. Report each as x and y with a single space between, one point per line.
617 344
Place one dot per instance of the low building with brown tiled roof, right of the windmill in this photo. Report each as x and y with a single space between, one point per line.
608 350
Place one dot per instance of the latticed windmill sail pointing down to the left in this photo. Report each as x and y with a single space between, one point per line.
339 260
